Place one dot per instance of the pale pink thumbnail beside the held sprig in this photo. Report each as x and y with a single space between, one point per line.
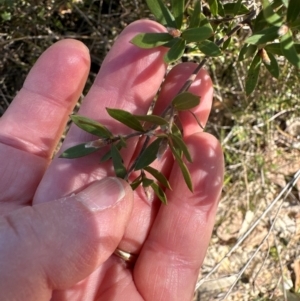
102 194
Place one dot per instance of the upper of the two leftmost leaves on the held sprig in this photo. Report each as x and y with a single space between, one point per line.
91 126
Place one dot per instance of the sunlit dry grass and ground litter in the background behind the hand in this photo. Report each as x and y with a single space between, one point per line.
259 134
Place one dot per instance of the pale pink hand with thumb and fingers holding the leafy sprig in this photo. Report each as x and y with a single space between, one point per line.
53 245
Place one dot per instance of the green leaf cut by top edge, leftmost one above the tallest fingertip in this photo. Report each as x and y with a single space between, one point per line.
161 13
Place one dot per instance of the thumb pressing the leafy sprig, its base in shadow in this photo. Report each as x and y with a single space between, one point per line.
54 245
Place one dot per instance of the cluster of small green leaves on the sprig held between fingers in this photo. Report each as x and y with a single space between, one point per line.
164 132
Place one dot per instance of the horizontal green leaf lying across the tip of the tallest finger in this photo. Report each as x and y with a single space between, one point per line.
151 40
